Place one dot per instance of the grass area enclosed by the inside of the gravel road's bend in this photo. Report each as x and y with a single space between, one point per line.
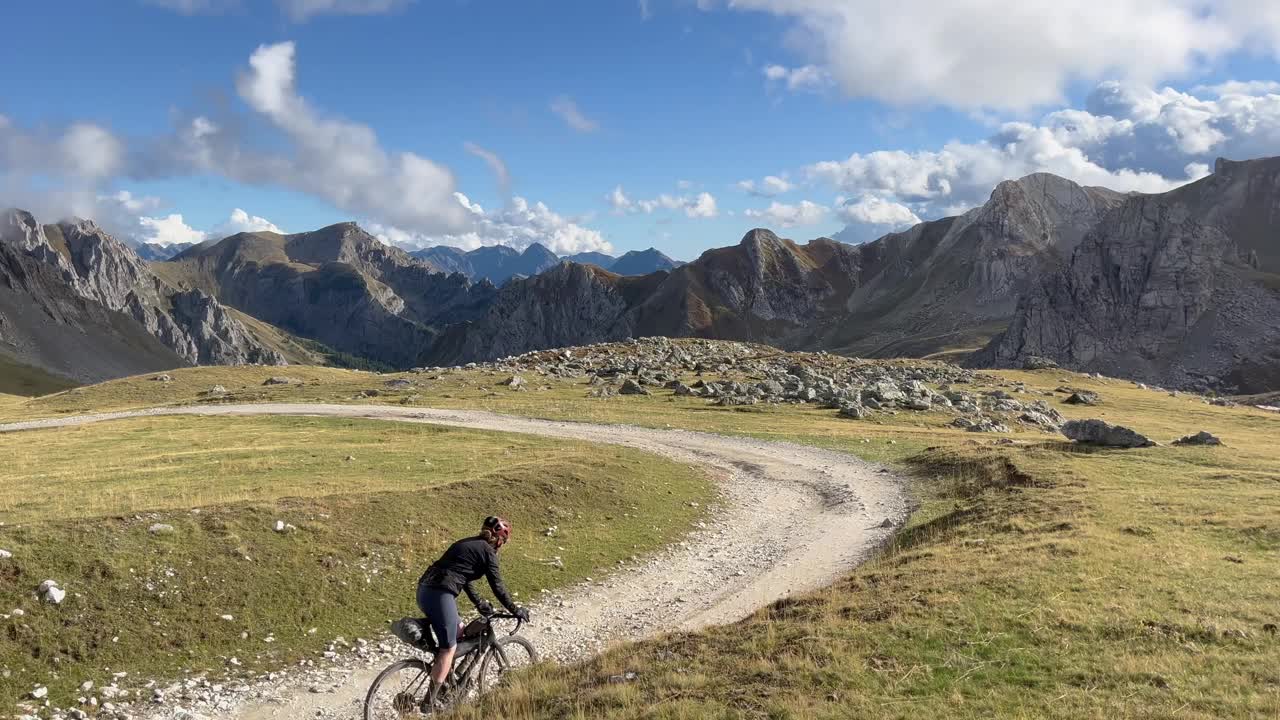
150 605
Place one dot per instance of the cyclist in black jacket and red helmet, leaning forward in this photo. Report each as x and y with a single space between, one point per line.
467 562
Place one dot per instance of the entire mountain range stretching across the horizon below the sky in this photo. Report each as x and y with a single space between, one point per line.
1178 289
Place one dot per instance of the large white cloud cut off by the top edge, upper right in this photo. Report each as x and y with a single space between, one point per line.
977 54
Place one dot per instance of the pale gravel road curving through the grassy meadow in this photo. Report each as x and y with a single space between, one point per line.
793 520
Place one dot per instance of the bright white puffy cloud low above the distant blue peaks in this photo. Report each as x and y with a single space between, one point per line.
519 225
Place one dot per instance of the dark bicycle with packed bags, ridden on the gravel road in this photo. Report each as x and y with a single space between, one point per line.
479 666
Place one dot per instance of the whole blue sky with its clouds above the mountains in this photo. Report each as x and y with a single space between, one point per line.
621 125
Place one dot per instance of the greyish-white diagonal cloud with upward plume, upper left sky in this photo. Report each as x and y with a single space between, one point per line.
333 160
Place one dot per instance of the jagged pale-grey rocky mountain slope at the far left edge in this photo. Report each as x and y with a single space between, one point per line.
74 282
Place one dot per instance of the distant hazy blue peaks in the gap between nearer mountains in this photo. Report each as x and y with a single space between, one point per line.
500 265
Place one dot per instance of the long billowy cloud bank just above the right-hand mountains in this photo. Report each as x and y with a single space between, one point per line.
1128 139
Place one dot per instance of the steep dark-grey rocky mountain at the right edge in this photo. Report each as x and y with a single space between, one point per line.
1163 293
